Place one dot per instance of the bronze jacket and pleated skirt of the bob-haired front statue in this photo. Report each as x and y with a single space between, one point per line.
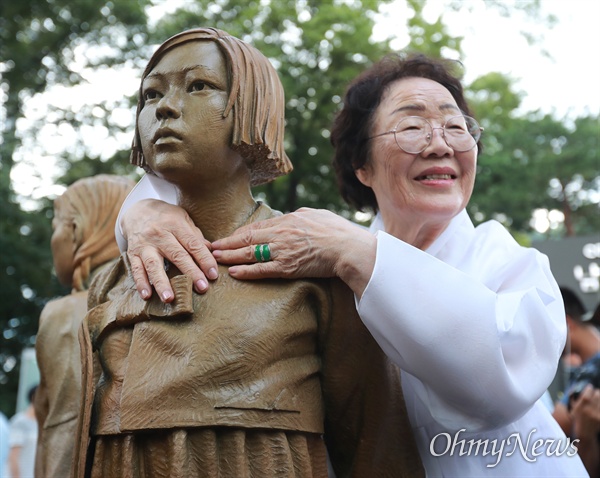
242 381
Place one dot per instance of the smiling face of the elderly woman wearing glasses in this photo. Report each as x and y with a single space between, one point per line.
432 186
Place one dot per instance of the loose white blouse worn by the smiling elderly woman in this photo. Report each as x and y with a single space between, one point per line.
477 325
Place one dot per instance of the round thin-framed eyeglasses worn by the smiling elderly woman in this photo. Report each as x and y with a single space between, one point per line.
413 134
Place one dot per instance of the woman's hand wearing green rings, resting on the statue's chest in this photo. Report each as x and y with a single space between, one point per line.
305 243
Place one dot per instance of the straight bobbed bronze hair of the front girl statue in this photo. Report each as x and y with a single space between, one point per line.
256 100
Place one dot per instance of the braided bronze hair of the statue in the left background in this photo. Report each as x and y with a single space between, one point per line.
93 204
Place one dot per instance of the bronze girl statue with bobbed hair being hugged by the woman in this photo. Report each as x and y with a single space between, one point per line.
246 379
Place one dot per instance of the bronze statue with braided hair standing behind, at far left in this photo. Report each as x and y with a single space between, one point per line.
83 244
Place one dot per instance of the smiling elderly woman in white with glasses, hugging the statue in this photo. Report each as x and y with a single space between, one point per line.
475 321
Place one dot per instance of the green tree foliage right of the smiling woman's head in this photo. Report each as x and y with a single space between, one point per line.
533 161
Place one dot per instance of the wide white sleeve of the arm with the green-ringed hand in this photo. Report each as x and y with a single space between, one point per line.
481 344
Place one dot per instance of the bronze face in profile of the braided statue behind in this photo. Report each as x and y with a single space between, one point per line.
63 244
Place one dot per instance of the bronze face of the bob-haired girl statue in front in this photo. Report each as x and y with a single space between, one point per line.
182 129
